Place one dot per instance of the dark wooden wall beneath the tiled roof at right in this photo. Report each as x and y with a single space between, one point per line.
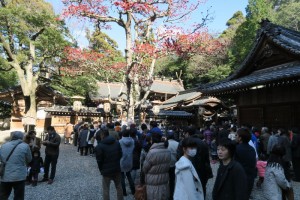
272 107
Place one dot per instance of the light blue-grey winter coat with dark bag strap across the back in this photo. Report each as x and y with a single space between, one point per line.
16 166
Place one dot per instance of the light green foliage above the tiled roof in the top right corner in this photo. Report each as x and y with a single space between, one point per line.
288 16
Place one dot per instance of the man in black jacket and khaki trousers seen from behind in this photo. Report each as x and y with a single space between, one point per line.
108 156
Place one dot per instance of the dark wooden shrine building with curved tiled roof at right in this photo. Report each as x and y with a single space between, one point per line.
266 87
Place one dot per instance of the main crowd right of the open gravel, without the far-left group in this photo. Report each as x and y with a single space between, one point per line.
175 163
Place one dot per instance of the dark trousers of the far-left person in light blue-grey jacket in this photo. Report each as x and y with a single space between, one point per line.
6 188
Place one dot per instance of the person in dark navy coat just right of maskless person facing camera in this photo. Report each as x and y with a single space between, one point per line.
246 156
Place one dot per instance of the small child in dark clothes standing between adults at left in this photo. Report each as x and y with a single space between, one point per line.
35 167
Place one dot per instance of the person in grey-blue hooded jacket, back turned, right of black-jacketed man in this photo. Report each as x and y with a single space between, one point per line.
127 146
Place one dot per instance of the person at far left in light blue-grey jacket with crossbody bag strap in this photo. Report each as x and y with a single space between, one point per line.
16 167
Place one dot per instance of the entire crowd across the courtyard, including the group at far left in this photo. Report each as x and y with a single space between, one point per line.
174 163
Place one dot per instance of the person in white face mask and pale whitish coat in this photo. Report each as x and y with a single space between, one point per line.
188 184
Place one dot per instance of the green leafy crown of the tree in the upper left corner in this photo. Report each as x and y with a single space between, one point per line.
25 21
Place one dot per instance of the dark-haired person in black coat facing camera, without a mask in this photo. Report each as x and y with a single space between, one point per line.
231 181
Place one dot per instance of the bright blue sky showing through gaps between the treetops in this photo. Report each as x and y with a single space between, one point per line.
221 11
